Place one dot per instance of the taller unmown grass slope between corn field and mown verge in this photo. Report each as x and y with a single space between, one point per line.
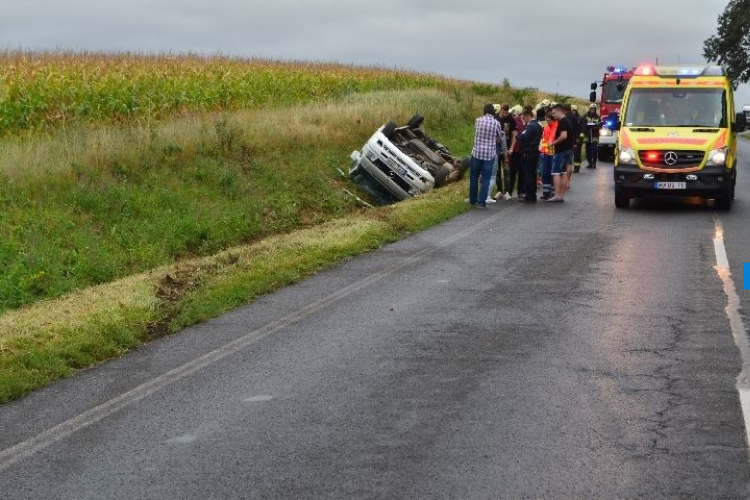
89 207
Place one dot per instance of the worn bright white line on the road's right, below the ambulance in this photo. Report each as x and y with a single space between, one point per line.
739 330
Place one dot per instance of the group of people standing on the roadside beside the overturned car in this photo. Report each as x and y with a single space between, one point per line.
513 146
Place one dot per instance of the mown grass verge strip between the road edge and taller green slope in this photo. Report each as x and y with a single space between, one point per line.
53 339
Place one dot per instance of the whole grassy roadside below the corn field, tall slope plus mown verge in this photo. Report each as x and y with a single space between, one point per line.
113 236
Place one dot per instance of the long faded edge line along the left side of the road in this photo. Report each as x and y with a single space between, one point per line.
24 449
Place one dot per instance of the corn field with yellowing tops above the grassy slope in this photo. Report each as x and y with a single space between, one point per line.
47 90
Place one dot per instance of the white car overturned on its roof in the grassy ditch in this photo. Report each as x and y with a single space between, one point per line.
405 161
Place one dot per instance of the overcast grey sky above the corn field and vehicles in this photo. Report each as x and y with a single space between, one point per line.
553 45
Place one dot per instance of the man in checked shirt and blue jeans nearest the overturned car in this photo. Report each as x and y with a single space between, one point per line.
486 134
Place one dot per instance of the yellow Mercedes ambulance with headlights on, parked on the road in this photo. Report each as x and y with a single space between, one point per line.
678 135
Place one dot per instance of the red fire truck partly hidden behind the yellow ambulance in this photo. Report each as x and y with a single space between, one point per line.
613 89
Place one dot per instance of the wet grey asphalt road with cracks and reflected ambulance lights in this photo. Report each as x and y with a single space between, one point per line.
564 351
